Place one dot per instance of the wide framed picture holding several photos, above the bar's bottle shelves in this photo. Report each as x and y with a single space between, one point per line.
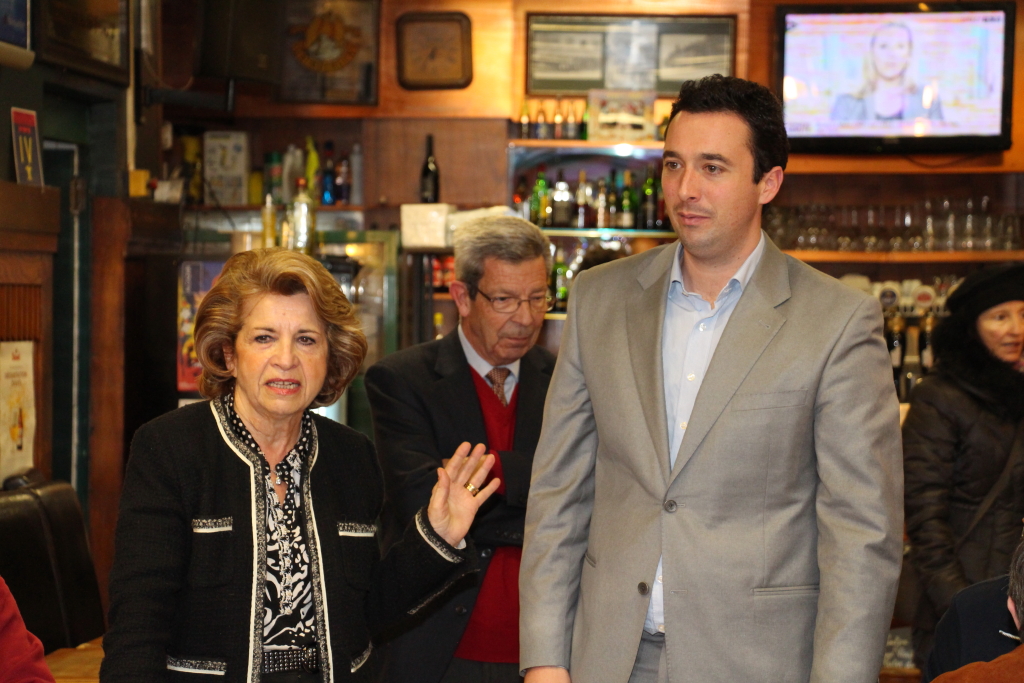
572 55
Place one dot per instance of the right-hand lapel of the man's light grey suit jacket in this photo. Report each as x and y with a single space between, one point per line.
752 327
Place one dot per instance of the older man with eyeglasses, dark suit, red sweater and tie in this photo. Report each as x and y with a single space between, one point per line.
484 383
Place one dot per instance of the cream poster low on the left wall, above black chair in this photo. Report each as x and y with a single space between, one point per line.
18 407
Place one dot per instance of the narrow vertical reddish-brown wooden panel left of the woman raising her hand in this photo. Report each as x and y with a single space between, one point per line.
112 229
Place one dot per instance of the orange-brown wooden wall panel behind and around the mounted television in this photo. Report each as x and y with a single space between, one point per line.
762 70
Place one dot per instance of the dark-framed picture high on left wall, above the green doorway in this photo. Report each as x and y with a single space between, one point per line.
84 36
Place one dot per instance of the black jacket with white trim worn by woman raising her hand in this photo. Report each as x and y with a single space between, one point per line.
187 589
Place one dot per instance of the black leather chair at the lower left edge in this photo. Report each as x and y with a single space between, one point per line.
48 565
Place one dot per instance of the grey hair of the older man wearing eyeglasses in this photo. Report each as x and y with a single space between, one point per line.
505 238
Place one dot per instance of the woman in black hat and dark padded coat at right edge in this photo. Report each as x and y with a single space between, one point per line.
958 440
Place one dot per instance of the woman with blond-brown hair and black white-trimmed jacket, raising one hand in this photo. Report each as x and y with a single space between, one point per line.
247 543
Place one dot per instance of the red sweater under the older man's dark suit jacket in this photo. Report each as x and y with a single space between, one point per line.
493 632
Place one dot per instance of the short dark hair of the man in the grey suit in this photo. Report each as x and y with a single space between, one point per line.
754 104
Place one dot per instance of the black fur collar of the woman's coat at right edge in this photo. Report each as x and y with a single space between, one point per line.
964 359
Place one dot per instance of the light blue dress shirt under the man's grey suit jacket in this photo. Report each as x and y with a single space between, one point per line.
693 330
